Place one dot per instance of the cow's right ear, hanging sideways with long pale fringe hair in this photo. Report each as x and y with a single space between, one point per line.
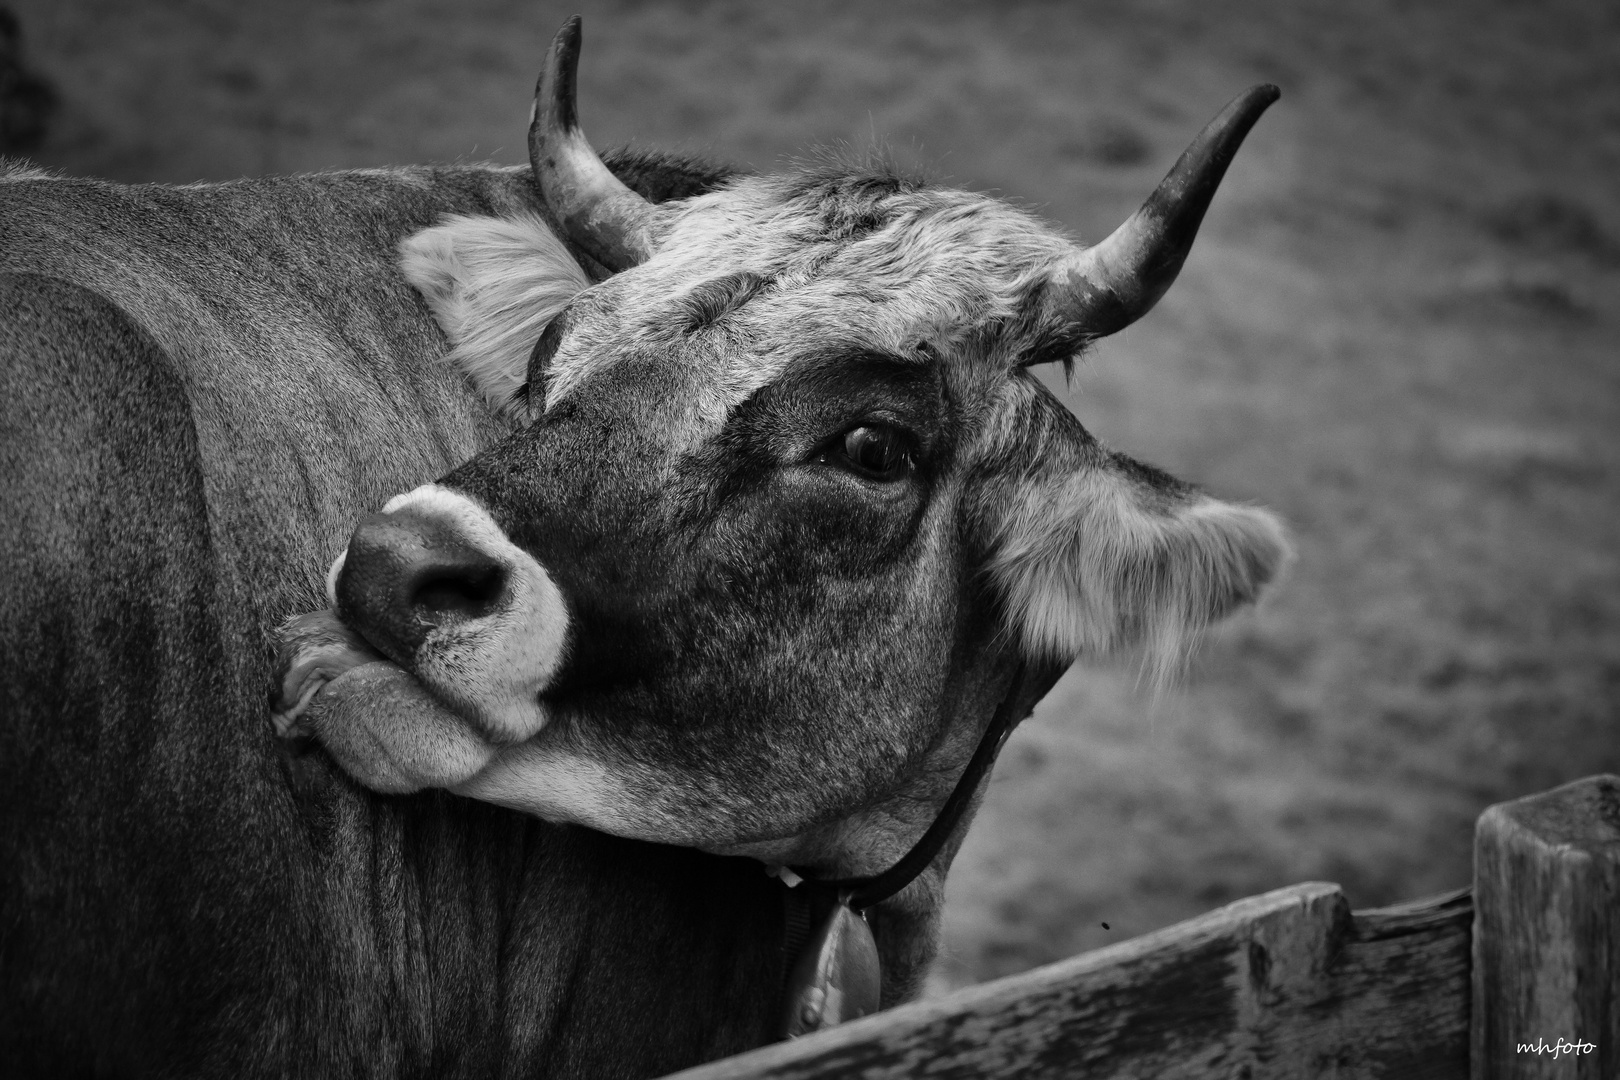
1106 561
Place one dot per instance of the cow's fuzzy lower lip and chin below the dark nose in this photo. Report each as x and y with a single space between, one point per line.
388 733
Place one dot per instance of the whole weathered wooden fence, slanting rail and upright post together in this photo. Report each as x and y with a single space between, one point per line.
1516 979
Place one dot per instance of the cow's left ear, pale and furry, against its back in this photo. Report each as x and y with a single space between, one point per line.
493 284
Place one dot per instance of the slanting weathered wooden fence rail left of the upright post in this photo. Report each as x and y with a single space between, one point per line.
1274 987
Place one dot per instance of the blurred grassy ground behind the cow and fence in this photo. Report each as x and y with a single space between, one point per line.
1400 330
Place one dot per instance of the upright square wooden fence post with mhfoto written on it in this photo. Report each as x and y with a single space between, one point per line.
1548 937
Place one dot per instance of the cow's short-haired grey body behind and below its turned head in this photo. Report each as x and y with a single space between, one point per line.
203 389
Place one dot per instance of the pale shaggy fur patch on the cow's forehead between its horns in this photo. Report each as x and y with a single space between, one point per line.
835 263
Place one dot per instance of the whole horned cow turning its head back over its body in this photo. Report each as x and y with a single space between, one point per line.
693 529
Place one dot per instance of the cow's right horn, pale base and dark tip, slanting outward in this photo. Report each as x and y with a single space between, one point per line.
1112 286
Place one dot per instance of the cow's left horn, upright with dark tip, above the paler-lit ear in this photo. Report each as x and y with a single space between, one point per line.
597 211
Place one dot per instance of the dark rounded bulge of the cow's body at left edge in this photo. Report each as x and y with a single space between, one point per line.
116 726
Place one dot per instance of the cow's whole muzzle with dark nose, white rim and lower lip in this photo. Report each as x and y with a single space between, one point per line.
438 645
